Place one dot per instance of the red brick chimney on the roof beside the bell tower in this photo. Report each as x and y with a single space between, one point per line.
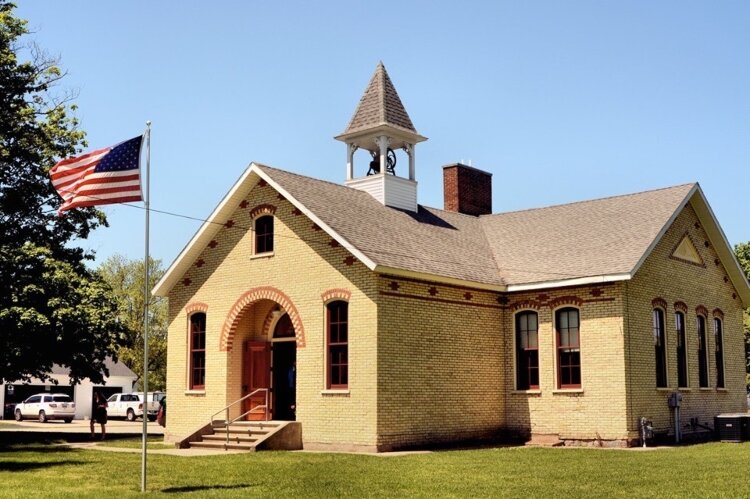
467 190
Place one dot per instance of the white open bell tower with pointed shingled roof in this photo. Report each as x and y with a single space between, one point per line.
381 126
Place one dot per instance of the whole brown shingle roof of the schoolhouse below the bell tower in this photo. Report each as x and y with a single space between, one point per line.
590 238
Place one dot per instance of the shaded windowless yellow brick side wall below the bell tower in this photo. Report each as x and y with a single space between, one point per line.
439 364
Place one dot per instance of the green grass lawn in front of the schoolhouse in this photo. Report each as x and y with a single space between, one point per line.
35 468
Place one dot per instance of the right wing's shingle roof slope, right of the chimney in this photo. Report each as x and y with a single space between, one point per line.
602 237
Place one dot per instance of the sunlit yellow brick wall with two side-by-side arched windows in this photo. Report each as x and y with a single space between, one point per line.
596 411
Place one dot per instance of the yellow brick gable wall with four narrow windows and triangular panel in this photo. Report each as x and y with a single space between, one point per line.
673 280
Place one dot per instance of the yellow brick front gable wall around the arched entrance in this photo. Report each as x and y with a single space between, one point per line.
304 265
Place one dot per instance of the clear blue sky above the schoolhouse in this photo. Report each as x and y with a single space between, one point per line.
561 101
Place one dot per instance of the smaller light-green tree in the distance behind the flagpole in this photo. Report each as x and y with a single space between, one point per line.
125 277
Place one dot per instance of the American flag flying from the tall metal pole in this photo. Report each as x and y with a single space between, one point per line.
105 176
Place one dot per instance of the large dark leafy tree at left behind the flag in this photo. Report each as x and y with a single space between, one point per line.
53 310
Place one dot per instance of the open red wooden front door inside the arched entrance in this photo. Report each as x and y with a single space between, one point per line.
256 373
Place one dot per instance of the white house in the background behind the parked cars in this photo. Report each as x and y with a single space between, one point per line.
120 379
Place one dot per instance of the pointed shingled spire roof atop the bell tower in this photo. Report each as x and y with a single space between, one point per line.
380 105
